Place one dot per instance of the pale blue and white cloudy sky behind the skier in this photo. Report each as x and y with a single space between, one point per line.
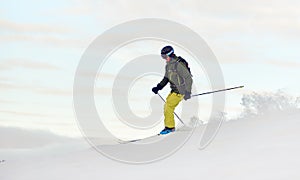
256 43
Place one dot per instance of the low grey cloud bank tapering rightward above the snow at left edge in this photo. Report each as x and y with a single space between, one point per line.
12 137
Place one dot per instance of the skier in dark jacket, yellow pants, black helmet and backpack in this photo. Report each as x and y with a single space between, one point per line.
178 74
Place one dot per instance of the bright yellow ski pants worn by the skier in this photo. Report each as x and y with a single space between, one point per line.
172 101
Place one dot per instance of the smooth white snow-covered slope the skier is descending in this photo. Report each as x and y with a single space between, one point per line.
264 147
